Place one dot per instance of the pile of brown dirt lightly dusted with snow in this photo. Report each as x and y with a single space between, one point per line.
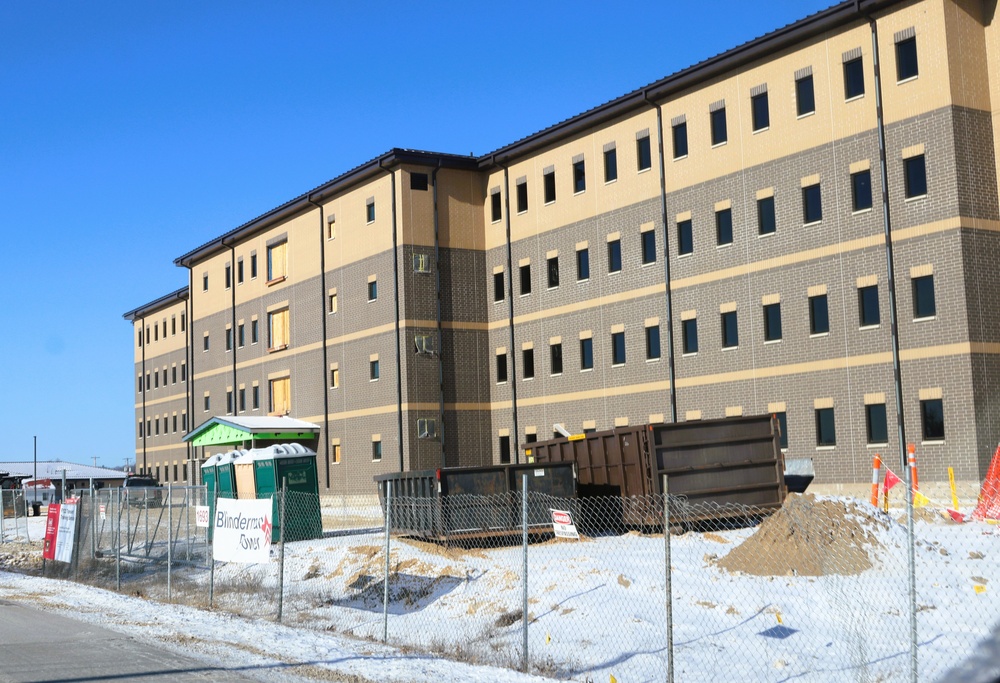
810 537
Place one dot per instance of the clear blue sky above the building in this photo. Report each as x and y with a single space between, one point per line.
132 132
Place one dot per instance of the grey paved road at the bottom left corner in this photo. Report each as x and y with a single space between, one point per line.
41 647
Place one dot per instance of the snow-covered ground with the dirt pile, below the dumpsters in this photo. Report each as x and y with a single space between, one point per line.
819 592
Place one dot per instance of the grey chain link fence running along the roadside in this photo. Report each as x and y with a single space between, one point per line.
821 589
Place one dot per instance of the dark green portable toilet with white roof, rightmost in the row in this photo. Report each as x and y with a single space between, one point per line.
296 465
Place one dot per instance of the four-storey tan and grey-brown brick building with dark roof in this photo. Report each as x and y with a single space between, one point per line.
716 243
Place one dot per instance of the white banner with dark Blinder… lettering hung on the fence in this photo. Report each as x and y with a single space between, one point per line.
242 531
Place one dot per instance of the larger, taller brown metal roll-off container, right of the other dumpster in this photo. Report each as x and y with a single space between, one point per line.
734 460
